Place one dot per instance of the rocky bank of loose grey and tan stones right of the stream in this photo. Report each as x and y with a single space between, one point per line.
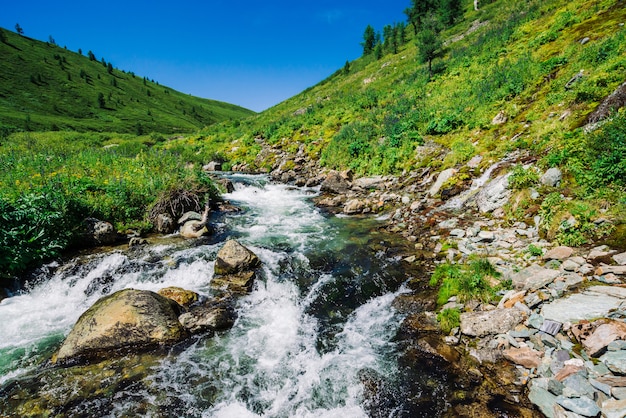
556 339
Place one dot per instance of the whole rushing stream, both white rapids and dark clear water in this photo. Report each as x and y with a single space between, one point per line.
318 320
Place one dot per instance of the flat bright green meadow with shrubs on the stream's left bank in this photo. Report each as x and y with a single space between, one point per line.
52 181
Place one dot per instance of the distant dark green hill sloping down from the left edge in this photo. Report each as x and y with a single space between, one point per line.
46 87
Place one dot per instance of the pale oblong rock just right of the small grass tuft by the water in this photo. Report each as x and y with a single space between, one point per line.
498 321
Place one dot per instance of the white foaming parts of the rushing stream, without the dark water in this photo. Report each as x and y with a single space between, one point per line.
269 363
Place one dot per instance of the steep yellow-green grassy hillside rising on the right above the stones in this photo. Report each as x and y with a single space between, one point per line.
543 66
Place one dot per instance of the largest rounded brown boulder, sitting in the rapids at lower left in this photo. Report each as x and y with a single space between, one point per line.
126 321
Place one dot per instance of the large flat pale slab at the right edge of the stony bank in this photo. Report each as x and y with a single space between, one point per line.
595 302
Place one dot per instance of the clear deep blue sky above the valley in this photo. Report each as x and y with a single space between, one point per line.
251 53
